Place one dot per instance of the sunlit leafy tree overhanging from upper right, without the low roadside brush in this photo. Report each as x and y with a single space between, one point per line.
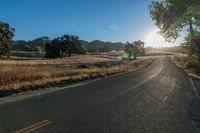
171 16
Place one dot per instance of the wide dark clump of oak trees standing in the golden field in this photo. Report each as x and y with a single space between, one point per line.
67 44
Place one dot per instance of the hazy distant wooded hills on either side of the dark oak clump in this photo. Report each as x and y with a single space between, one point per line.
38 45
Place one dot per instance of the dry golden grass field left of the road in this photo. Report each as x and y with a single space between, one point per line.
17 74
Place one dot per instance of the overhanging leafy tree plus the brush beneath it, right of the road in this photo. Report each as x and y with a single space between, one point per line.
174 16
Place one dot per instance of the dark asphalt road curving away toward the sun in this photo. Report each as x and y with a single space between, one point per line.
157 99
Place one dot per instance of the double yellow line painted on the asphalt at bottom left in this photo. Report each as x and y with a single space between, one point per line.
34 127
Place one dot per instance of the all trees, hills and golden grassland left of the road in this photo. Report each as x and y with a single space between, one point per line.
42 62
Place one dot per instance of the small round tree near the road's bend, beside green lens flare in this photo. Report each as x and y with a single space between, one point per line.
135 49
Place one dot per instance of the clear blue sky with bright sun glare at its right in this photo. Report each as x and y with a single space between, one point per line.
106 20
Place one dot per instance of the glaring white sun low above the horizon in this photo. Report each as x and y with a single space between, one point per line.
154 39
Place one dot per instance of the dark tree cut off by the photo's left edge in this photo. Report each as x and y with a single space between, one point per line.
6 35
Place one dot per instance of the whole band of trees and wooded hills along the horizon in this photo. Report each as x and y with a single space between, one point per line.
67 45
